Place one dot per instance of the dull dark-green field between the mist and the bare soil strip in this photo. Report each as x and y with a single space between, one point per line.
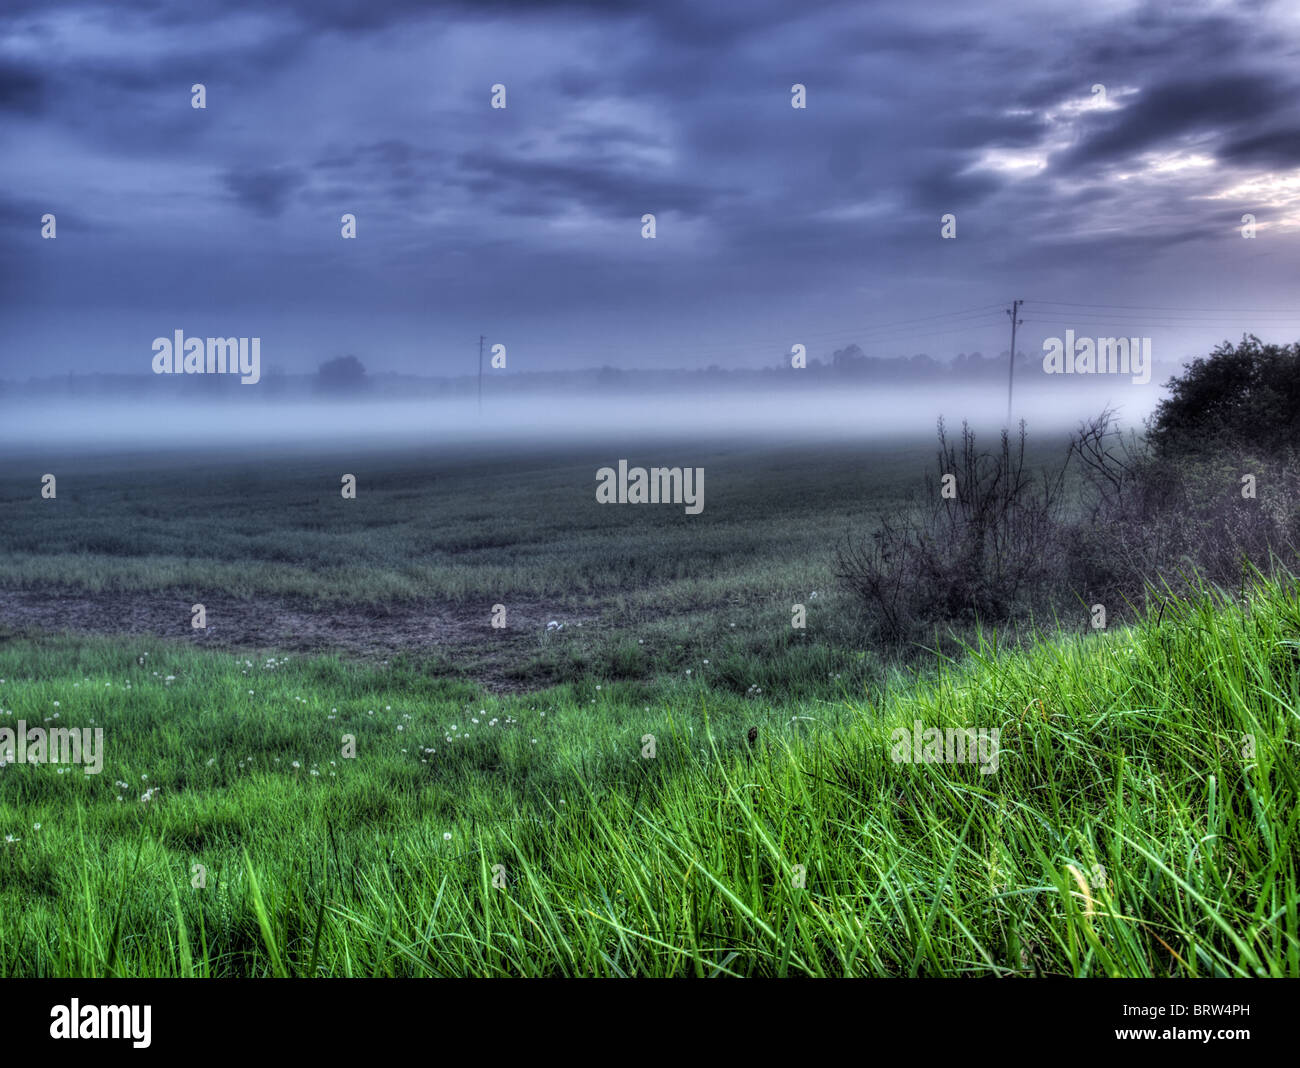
457 527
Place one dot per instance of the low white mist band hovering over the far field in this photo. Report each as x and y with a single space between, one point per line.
866 414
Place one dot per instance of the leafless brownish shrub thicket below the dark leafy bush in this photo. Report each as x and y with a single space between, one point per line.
1012 542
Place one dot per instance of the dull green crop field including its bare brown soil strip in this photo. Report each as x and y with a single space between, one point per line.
283 563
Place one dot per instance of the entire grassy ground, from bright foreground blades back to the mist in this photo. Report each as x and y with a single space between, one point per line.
506 811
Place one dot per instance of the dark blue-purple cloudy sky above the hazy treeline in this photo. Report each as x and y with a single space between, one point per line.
1117 211
